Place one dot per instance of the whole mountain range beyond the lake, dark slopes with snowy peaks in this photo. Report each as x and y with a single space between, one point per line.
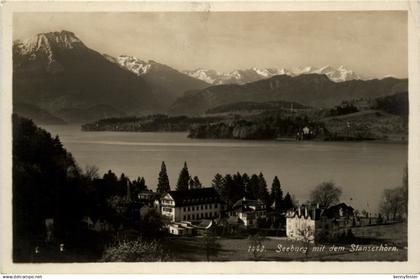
57 78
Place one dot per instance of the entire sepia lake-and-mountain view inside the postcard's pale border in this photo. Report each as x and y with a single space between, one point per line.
218 136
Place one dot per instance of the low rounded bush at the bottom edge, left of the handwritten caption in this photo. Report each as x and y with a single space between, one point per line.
136 251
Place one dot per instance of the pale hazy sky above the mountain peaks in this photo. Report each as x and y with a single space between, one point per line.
373 44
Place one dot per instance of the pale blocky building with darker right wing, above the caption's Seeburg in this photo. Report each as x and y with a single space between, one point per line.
316 224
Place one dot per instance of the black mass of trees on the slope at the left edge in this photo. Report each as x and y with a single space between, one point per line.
46 184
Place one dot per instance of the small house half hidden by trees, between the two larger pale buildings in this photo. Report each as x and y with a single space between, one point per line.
249 211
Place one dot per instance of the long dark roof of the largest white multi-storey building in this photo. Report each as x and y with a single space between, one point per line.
195 196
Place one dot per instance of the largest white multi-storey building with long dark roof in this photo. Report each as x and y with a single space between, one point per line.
190 205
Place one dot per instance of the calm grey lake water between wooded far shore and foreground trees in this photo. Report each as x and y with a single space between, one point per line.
362 170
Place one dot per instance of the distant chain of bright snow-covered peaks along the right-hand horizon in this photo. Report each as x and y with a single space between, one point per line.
249 75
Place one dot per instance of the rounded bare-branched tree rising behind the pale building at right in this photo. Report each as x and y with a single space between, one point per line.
326 194
